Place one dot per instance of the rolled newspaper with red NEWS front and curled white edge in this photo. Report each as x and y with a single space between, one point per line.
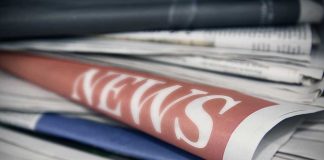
207 120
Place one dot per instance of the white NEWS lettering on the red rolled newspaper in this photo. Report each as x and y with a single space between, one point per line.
194 110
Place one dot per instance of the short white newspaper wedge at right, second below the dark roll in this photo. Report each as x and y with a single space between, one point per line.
247 67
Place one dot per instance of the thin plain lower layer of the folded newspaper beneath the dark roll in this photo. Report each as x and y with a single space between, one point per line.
105 45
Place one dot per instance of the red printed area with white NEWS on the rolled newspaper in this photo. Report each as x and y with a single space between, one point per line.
197 118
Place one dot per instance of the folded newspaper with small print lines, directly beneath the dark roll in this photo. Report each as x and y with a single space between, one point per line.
278 42
